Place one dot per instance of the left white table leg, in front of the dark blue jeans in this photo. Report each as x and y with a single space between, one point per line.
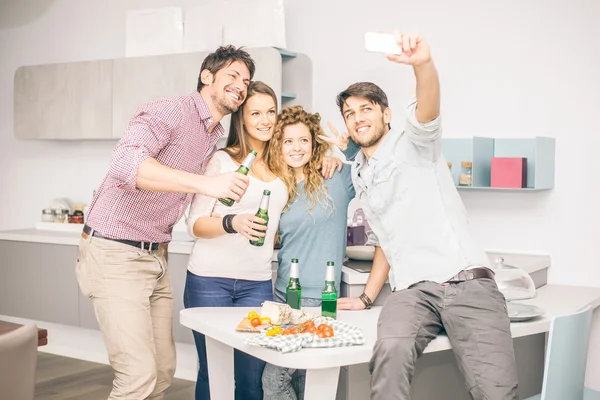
220 369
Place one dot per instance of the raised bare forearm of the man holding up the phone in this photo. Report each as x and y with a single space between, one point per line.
428 92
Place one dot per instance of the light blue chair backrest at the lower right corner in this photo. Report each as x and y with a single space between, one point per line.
566 356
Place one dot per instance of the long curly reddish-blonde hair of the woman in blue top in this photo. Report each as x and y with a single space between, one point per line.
315 188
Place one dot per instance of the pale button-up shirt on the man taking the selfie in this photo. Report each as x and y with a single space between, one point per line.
409 198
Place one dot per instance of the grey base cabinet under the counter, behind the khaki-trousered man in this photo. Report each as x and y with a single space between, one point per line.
39 283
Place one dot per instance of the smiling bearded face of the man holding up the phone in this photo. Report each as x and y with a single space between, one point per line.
365 121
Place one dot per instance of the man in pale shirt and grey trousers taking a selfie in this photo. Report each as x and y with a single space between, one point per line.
439 276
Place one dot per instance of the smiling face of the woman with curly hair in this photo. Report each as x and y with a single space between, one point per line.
296 146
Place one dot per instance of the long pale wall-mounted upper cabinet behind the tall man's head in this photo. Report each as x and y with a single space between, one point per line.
94 100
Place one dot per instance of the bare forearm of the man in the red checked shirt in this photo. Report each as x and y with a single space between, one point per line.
156 177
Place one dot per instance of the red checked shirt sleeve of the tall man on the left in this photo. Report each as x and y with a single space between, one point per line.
148 133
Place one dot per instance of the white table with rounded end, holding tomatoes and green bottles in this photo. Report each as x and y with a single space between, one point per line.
323 365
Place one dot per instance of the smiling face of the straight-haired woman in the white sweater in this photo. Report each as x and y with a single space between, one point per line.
259 117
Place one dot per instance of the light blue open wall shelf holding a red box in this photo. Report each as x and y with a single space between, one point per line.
539 151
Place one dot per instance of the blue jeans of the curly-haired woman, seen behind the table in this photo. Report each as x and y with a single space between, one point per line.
281 383
